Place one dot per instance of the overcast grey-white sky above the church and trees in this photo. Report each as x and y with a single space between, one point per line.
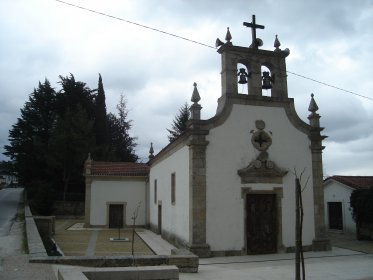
329 41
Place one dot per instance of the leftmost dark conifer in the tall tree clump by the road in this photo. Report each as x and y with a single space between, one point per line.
29 137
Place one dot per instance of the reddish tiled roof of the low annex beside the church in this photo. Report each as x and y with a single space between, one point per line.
118 168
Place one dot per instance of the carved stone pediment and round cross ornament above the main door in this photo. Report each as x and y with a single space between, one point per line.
261 170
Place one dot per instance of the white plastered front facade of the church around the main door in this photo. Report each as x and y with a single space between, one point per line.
229 150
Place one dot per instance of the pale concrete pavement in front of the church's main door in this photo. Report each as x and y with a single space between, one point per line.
347 266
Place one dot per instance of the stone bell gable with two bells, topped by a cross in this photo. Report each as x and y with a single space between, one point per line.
253 61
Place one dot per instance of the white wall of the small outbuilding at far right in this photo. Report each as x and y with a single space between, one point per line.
337 192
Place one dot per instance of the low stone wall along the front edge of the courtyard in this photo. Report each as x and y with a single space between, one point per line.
185 263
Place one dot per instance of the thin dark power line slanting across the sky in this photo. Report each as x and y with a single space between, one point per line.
202 44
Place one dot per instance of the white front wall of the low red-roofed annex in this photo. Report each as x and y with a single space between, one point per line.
130 192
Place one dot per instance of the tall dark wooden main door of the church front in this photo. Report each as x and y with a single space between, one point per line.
261 223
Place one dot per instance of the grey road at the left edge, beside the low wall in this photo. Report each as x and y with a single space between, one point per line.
9 200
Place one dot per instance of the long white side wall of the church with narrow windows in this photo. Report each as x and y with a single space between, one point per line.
175 217
